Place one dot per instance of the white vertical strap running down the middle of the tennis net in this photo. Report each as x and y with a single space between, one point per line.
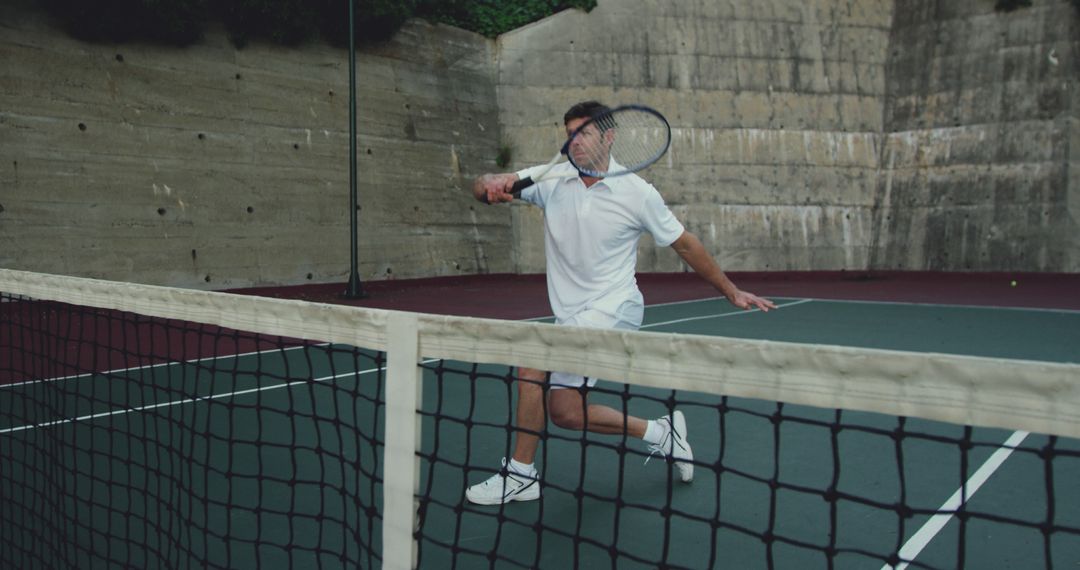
401 464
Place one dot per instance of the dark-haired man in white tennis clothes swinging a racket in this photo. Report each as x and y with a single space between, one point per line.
592 227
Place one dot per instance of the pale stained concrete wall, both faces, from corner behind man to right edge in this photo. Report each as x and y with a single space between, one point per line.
828 134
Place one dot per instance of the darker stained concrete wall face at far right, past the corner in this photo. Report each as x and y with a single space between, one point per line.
981 118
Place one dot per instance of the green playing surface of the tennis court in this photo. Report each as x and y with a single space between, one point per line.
240 470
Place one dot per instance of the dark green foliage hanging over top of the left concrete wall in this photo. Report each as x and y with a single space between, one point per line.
288 22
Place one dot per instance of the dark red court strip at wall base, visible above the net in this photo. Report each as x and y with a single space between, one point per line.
507 296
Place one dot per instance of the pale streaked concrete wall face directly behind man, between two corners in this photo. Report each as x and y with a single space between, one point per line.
777 110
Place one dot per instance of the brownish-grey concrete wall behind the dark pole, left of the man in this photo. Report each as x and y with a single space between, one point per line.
214 168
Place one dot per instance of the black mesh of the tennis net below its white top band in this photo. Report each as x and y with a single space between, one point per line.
137 441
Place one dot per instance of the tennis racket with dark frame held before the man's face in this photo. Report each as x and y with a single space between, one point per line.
623 141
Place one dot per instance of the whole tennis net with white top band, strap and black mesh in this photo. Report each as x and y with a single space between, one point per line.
160 428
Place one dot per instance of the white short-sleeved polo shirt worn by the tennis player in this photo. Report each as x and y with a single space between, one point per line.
591 238
